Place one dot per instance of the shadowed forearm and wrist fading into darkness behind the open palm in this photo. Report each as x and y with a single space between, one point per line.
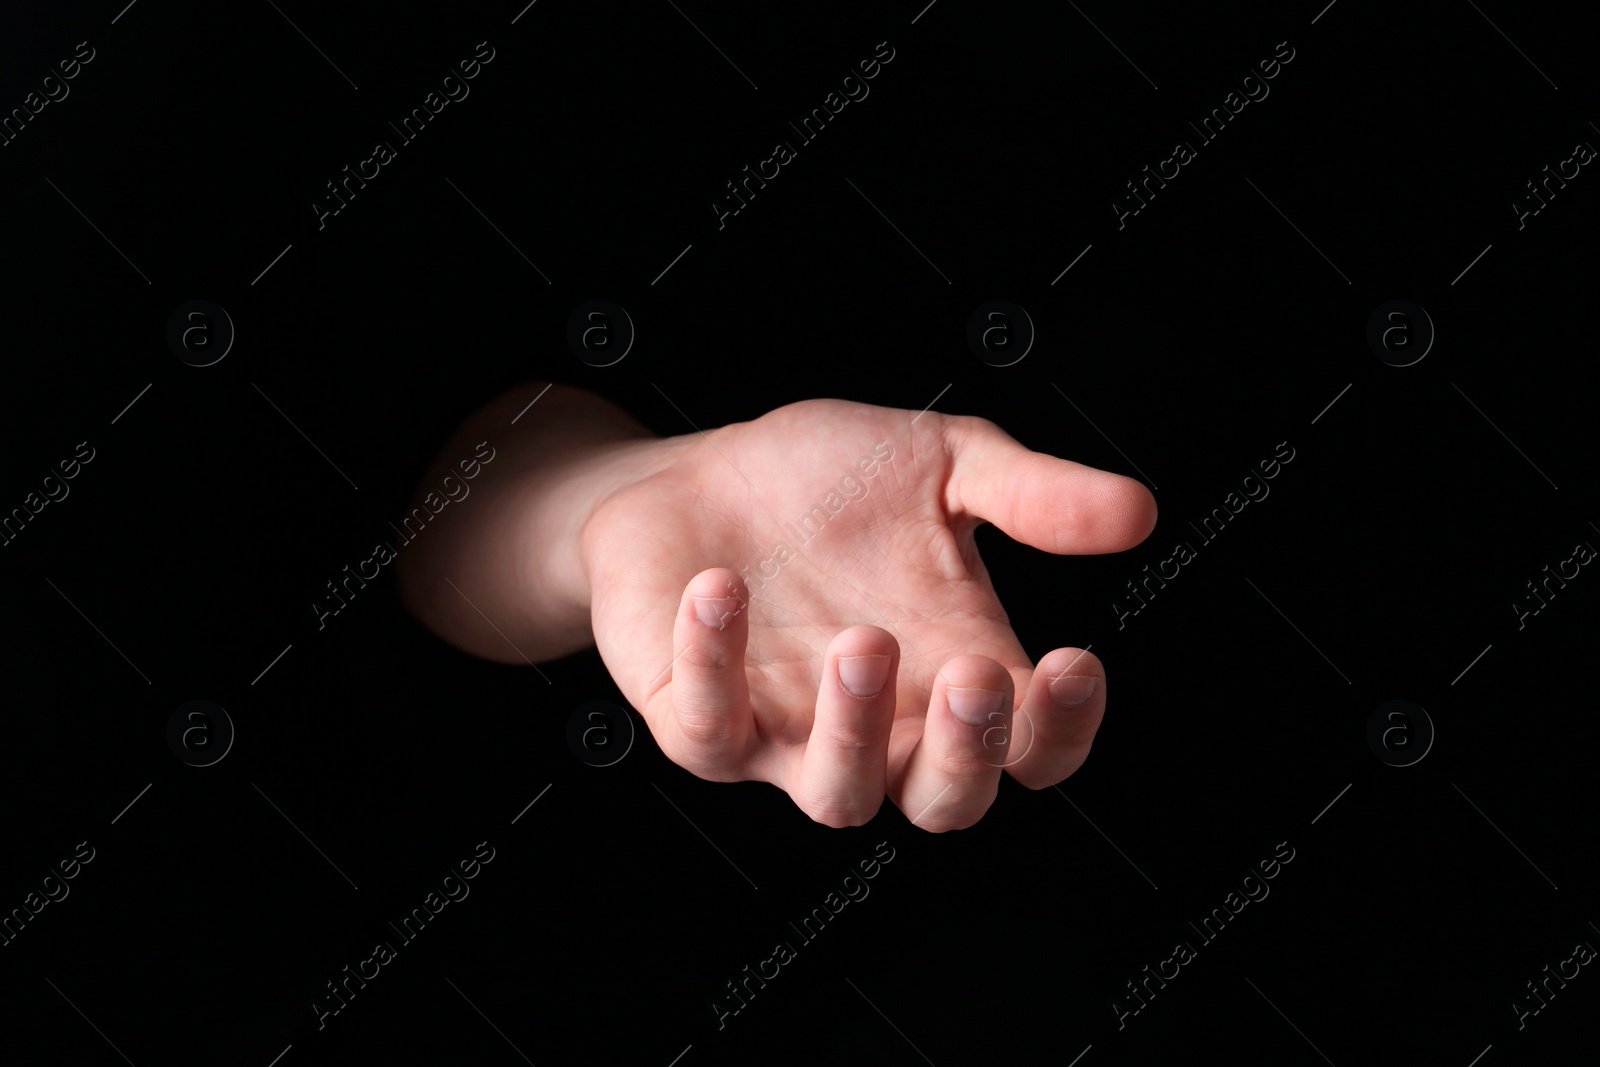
505 578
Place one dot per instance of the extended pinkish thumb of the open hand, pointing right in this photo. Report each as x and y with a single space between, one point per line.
1052 505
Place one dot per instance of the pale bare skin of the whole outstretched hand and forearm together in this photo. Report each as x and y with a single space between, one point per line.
873 663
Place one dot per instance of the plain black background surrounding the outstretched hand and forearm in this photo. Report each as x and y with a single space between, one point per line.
1198 338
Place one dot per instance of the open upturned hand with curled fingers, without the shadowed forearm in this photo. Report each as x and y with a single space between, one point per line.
873 658
